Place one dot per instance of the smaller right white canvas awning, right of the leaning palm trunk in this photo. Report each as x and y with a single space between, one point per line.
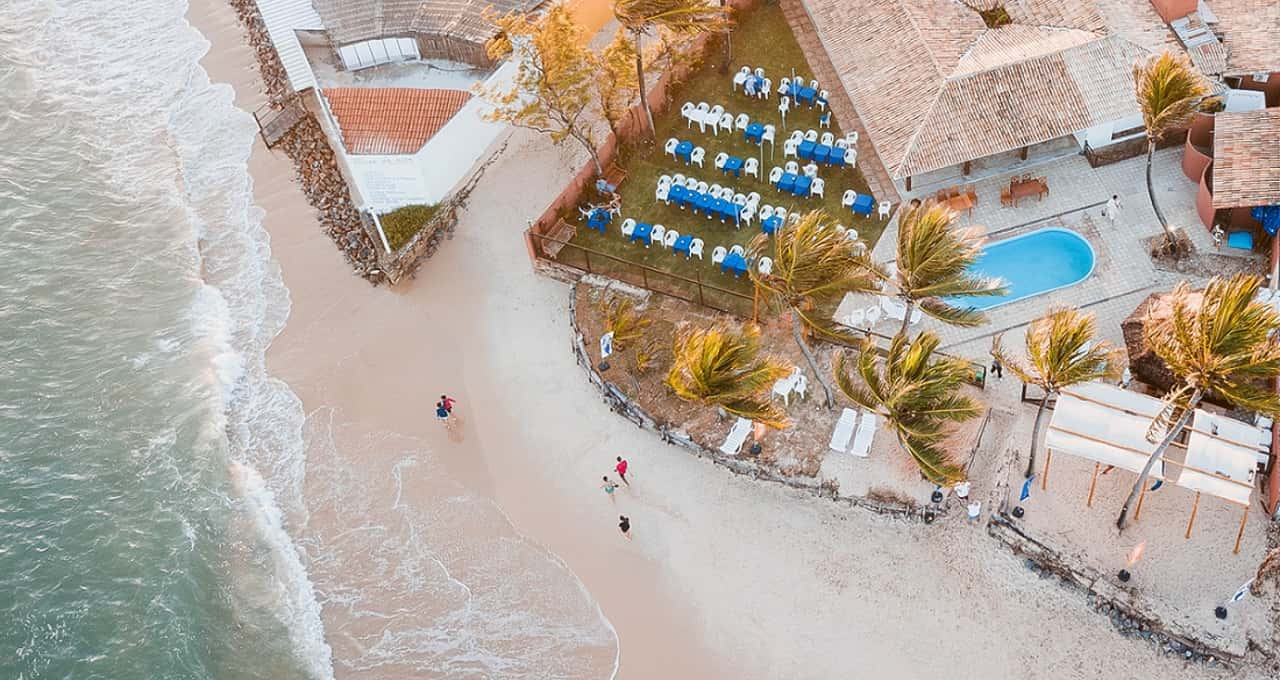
1220 458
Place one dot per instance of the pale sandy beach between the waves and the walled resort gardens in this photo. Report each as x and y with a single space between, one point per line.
726 578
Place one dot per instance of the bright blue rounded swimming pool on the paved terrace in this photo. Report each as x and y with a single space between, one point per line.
1032 264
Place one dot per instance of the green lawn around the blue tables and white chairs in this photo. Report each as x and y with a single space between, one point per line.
762 40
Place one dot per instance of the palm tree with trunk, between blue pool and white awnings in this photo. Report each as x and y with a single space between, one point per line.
1060 353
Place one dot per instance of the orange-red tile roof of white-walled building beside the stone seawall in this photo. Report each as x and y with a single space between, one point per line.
392 120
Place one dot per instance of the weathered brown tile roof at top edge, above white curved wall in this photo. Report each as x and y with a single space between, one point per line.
351 21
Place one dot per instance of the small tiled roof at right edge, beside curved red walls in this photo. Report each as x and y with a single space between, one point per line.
1247 159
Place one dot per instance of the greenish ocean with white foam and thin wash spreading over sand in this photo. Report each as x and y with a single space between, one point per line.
154 517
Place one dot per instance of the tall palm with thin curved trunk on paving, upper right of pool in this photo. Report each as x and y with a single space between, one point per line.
1168 90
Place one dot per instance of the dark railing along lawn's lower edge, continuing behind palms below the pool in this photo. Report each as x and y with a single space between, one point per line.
561 250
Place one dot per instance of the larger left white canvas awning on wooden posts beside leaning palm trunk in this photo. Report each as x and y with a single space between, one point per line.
1107 425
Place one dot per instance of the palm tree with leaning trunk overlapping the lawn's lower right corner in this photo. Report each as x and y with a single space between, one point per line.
813 268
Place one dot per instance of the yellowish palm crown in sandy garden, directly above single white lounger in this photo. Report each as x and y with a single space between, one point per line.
724 368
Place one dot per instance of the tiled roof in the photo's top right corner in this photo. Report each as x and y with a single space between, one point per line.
1251 33
